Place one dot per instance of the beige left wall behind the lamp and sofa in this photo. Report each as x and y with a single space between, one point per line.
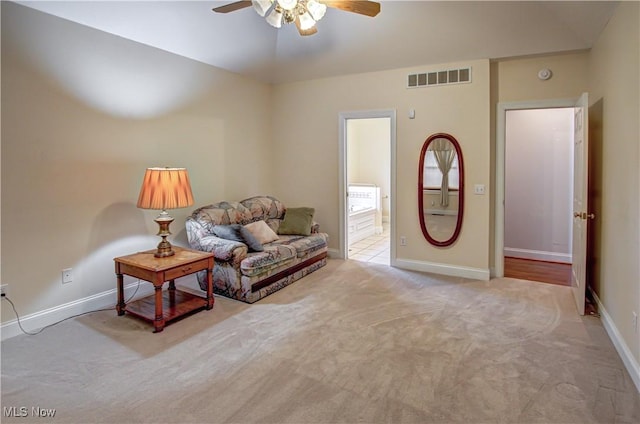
76 140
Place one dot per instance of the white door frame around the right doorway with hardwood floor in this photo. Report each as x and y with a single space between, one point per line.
501 118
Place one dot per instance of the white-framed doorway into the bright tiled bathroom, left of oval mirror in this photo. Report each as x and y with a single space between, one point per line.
367 181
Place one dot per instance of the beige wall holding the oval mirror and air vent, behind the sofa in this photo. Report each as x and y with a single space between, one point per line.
306 137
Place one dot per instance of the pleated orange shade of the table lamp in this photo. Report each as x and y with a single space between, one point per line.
165 188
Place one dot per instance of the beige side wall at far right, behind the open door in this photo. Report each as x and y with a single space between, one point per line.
614 67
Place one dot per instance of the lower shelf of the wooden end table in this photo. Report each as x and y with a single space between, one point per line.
175 304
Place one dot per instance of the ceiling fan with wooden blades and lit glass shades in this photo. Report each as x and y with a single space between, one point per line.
304 13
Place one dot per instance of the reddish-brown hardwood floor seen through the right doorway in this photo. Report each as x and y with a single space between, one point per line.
545 272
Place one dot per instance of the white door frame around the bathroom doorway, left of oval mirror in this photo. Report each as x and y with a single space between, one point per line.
343 117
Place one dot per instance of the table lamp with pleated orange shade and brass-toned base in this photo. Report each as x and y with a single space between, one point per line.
162 189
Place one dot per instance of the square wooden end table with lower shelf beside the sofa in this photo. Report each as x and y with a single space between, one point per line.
161 308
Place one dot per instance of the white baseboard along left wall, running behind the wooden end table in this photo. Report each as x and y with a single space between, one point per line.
38 320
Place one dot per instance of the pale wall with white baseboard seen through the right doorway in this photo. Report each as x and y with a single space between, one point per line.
538 184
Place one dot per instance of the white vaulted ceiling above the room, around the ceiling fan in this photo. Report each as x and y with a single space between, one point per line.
404 34
